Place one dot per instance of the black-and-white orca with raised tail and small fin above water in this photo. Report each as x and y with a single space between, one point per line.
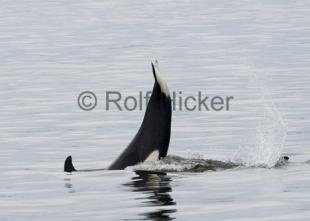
152 140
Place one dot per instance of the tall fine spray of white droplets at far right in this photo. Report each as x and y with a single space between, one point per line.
264 148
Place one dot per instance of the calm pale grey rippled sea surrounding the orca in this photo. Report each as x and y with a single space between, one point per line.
256 51
